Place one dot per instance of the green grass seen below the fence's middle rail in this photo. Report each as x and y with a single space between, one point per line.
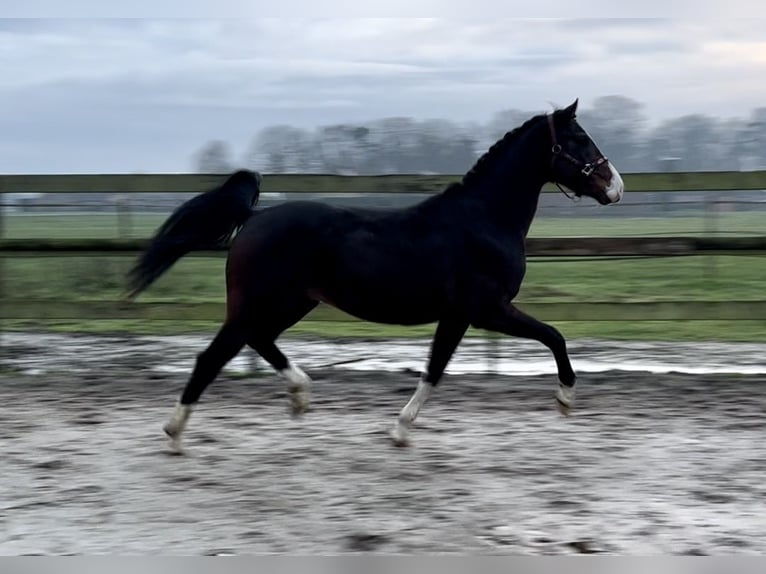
707 278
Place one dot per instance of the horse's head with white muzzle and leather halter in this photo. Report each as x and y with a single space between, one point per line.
577 163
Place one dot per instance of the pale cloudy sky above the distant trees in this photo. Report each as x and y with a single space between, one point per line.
144 95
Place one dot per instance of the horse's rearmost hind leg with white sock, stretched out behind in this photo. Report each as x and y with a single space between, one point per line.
224 347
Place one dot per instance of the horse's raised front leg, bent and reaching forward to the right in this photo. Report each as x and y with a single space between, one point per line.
509 320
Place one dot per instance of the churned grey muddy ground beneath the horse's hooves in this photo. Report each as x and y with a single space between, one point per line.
646 464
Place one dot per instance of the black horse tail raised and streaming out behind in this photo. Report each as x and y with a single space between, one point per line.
206 221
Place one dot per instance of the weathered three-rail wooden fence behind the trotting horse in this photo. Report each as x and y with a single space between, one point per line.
720 182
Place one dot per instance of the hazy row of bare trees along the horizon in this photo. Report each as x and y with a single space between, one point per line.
406 145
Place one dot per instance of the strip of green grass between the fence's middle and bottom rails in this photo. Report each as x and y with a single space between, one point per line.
705 277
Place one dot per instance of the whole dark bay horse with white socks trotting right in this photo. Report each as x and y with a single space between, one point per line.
456 259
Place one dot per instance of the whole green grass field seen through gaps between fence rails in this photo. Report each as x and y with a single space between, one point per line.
705 278
